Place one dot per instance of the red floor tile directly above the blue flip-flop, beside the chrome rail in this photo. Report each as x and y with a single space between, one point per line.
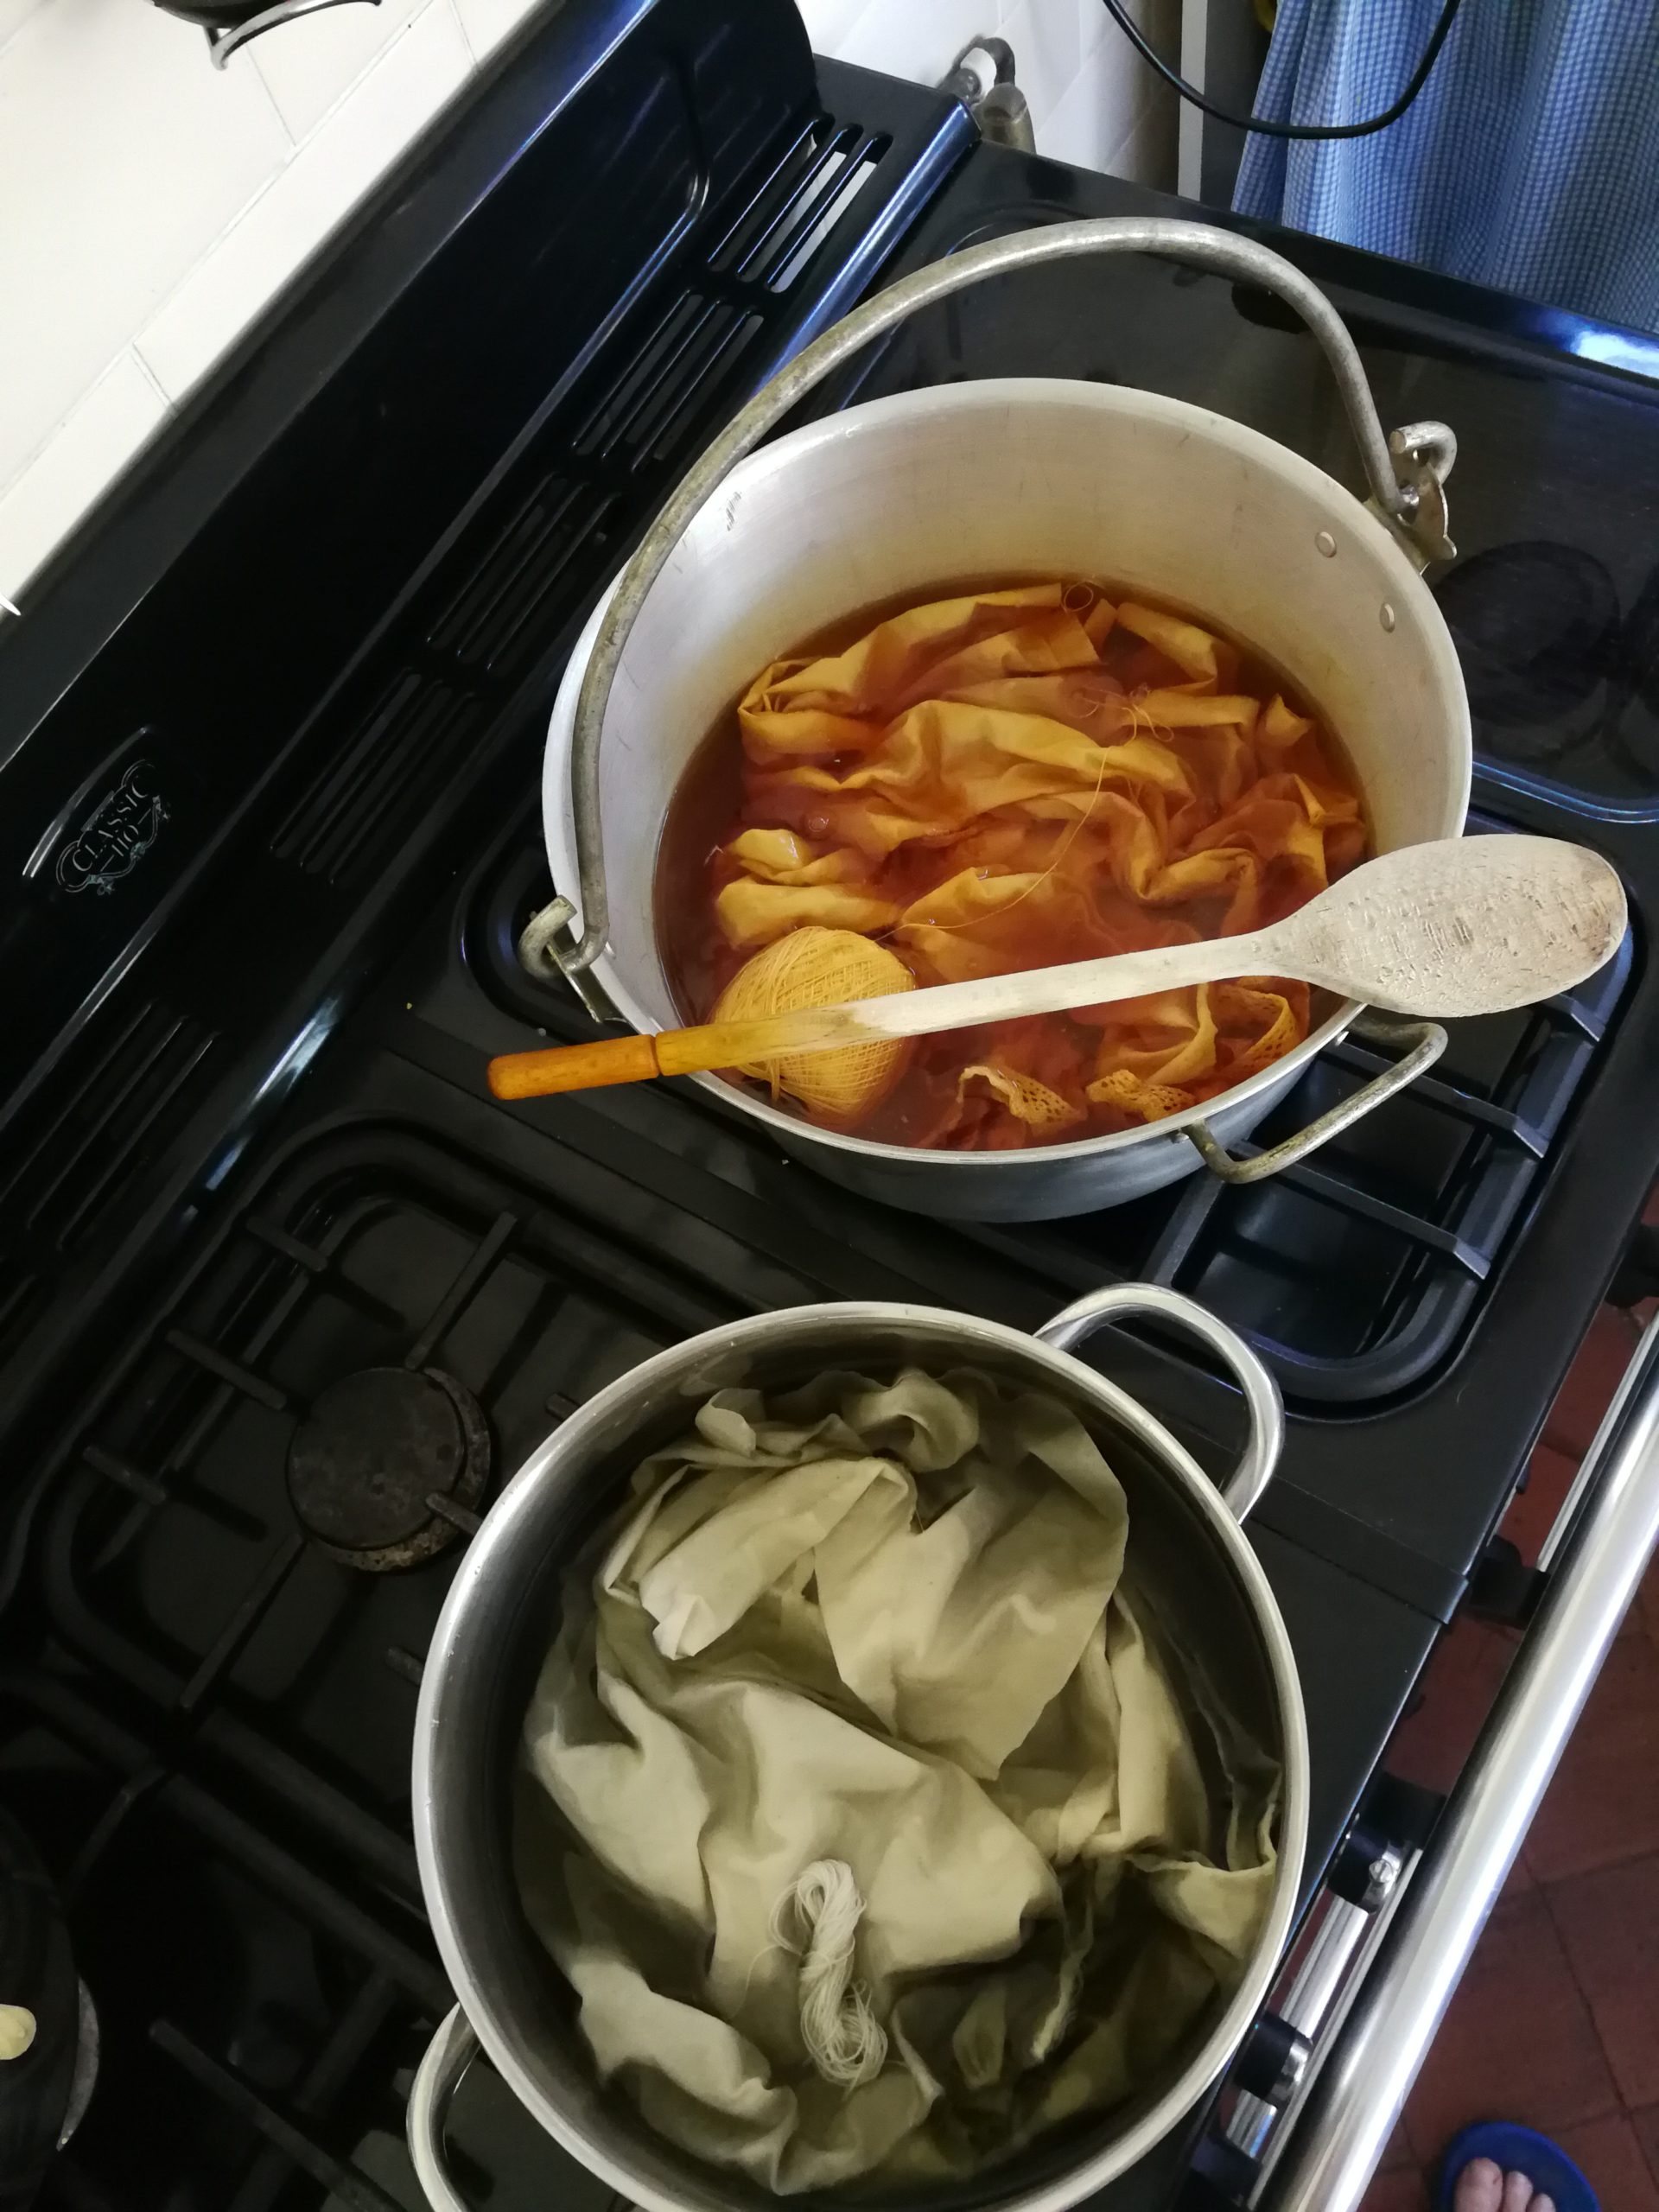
1516 2043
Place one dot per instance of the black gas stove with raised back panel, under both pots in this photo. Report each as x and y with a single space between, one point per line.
271 744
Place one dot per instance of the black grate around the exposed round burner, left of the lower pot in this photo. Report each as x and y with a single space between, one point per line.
207 1550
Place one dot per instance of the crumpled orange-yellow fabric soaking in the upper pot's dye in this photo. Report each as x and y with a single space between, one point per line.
1021 778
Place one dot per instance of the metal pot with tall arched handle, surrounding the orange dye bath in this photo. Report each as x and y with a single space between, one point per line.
1012 477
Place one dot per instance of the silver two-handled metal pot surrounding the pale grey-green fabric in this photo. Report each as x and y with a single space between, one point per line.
1187 1556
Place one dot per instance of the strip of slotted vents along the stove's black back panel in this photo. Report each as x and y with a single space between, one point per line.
525 565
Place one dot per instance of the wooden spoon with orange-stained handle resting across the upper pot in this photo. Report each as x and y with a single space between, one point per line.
1465 926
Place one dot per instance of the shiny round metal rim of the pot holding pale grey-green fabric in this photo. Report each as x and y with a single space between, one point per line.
844 1317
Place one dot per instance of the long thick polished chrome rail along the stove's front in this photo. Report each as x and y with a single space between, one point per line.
1596 1556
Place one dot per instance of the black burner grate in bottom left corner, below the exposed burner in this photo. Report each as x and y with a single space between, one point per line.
251 2010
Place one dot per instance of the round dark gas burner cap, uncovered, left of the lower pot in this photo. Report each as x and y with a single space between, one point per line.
371 1457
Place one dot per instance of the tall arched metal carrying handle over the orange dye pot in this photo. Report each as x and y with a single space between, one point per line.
1406 474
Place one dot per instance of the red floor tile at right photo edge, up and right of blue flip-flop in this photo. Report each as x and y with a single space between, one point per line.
1609 1926
